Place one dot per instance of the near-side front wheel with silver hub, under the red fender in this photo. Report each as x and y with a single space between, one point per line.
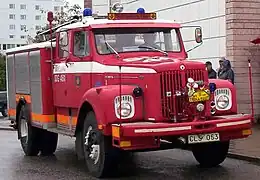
100 157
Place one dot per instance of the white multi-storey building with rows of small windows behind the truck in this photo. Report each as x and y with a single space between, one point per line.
18 19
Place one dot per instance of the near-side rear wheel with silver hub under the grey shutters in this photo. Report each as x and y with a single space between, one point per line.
29 135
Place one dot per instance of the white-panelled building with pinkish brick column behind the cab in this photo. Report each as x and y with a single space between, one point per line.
228 27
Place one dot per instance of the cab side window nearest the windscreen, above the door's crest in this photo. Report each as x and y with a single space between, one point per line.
81 43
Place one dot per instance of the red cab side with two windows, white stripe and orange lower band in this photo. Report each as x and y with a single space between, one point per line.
72 76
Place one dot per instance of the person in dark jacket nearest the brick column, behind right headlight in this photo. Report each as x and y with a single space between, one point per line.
227 73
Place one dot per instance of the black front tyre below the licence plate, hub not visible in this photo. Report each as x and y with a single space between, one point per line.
210 154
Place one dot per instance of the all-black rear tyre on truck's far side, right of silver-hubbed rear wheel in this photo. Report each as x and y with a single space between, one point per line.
49 141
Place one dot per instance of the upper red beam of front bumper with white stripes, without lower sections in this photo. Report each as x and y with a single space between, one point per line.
219 124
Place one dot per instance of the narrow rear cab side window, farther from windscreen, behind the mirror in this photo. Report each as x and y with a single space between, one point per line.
63 44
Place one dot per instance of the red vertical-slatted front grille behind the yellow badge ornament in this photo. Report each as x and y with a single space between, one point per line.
172 83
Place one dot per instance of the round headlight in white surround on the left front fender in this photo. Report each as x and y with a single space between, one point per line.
127 106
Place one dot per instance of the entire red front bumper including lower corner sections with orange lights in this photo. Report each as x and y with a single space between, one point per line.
145 135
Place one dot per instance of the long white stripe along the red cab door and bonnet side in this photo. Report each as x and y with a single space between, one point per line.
95 67
